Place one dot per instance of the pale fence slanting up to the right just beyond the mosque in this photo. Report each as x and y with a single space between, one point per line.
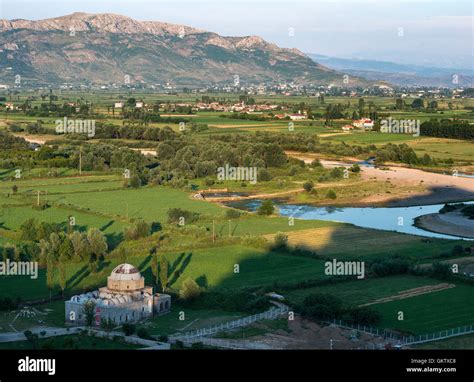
199 333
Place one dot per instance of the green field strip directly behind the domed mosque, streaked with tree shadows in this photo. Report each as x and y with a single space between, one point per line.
212 267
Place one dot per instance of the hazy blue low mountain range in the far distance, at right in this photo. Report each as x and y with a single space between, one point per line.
398 74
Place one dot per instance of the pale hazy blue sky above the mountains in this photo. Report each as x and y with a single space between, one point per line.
432 33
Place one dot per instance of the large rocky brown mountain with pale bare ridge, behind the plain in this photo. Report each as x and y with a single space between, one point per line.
105 48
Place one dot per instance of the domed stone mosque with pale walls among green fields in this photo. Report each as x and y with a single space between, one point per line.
124 299
